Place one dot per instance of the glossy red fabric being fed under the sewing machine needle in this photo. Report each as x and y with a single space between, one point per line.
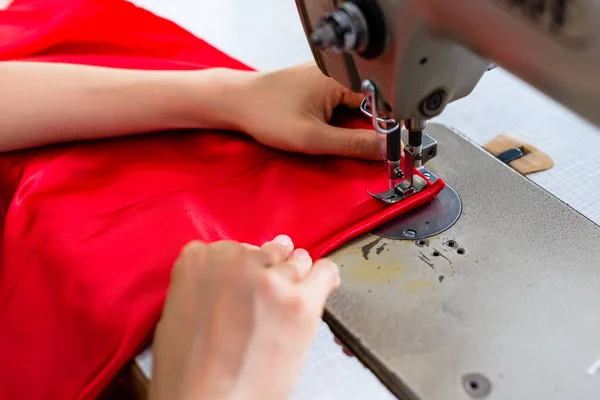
91 230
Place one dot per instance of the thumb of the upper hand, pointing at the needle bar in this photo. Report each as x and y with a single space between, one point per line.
348 142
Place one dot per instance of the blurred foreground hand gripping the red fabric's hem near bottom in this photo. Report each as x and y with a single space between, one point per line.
239 320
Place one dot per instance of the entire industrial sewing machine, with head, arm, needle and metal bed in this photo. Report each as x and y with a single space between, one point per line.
507 302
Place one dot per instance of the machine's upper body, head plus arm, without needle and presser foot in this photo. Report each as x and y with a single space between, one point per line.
423 54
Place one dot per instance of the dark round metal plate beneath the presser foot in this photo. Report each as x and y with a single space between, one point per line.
430 219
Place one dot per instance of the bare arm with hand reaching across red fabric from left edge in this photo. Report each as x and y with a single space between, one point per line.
290 109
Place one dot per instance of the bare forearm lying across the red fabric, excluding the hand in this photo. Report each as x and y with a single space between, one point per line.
42 103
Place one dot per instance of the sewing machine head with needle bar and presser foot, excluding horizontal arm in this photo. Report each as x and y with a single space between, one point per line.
384 49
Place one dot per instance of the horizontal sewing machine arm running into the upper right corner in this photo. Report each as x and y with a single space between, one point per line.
552 44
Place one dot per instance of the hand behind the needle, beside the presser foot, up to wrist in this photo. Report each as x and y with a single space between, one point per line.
290 110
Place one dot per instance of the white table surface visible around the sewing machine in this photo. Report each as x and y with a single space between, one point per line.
267 35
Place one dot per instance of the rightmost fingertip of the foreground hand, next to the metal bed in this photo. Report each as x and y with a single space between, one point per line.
323 278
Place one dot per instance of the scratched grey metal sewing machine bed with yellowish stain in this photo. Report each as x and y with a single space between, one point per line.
520 306
